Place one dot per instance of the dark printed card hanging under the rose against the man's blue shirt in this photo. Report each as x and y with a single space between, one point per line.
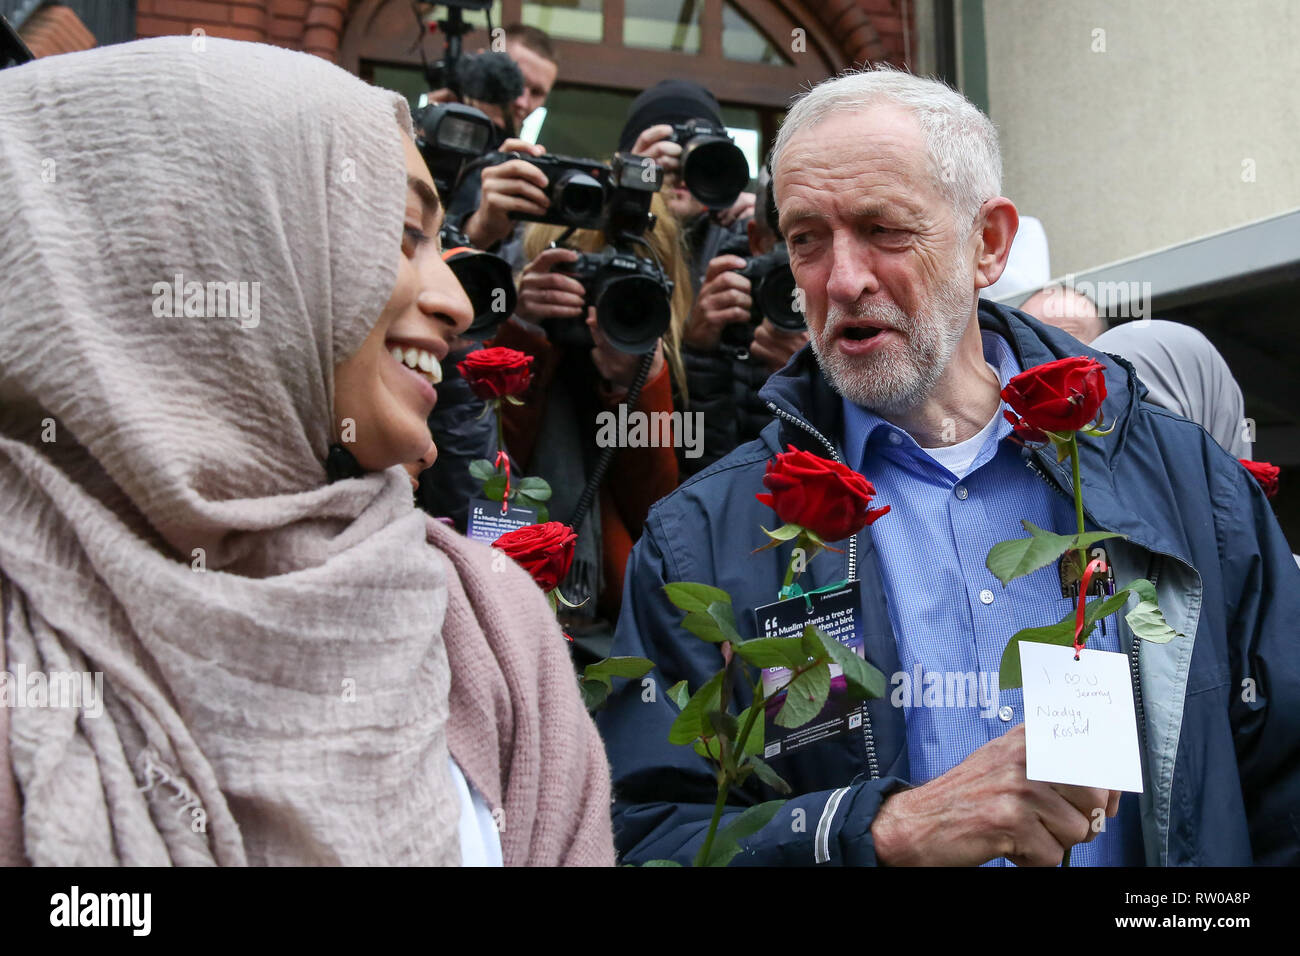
837 615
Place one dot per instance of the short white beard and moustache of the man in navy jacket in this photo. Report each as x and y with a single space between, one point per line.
896 379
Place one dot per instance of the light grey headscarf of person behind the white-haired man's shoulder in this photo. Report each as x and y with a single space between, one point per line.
1185 374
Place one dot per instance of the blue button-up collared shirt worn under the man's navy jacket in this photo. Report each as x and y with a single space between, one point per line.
951 616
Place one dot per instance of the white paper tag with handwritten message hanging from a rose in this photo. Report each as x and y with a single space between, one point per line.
1080 721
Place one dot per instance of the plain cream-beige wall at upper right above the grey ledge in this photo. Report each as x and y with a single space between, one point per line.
1146 135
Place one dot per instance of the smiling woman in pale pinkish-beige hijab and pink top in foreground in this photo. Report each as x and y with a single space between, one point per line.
220 275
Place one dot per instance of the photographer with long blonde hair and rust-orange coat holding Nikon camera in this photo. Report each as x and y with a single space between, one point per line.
577 375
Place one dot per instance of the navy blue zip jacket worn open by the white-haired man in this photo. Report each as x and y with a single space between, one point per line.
1219 713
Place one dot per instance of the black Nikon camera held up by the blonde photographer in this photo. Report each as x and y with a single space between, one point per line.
632 297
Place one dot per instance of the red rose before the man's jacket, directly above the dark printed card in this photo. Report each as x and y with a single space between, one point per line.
827 499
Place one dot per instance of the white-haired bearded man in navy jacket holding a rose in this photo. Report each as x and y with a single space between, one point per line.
889 189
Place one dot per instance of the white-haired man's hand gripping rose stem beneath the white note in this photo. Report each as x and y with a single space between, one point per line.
986 808
